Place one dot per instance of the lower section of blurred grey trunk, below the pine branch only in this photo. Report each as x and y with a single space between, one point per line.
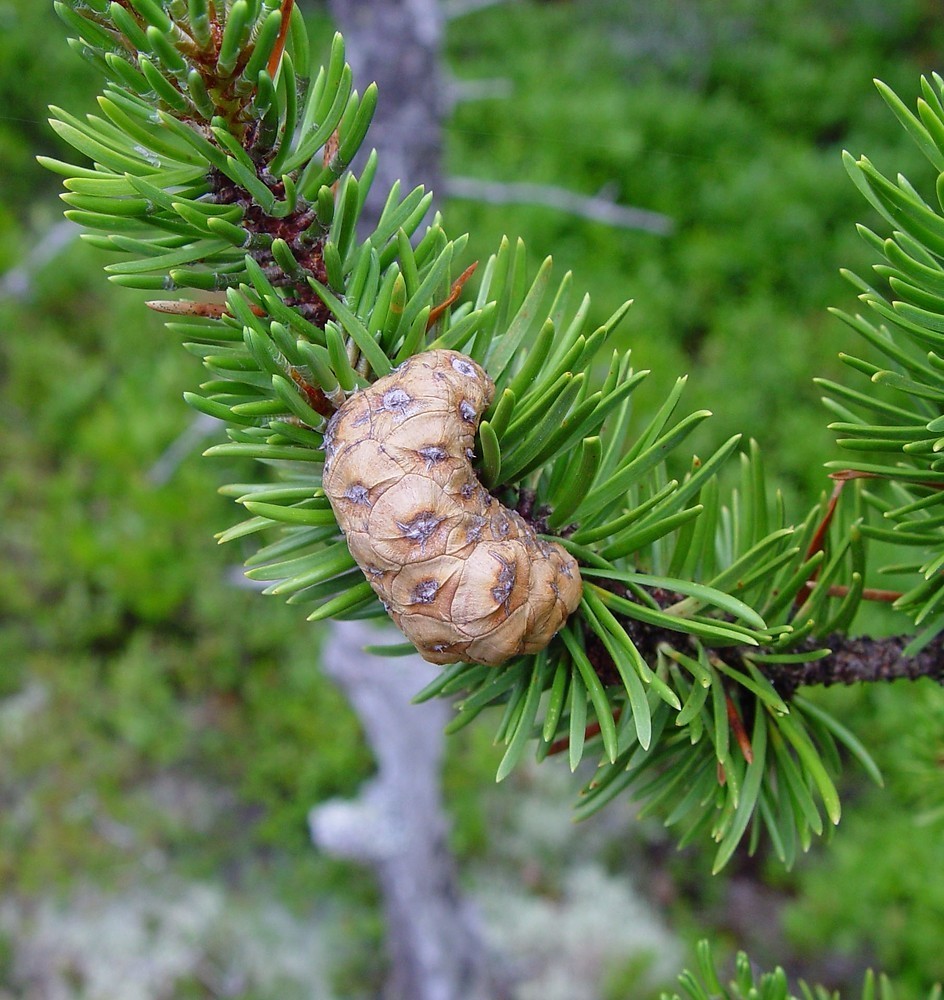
398 826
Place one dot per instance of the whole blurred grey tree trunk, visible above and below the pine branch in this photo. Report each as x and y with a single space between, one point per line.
398 824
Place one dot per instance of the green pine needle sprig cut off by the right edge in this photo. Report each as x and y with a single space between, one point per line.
903 429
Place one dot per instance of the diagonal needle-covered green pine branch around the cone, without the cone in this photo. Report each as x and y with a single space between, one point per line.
237 183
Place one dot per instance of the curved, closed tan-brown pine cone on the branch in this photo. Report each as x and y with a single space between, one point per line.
462 576
